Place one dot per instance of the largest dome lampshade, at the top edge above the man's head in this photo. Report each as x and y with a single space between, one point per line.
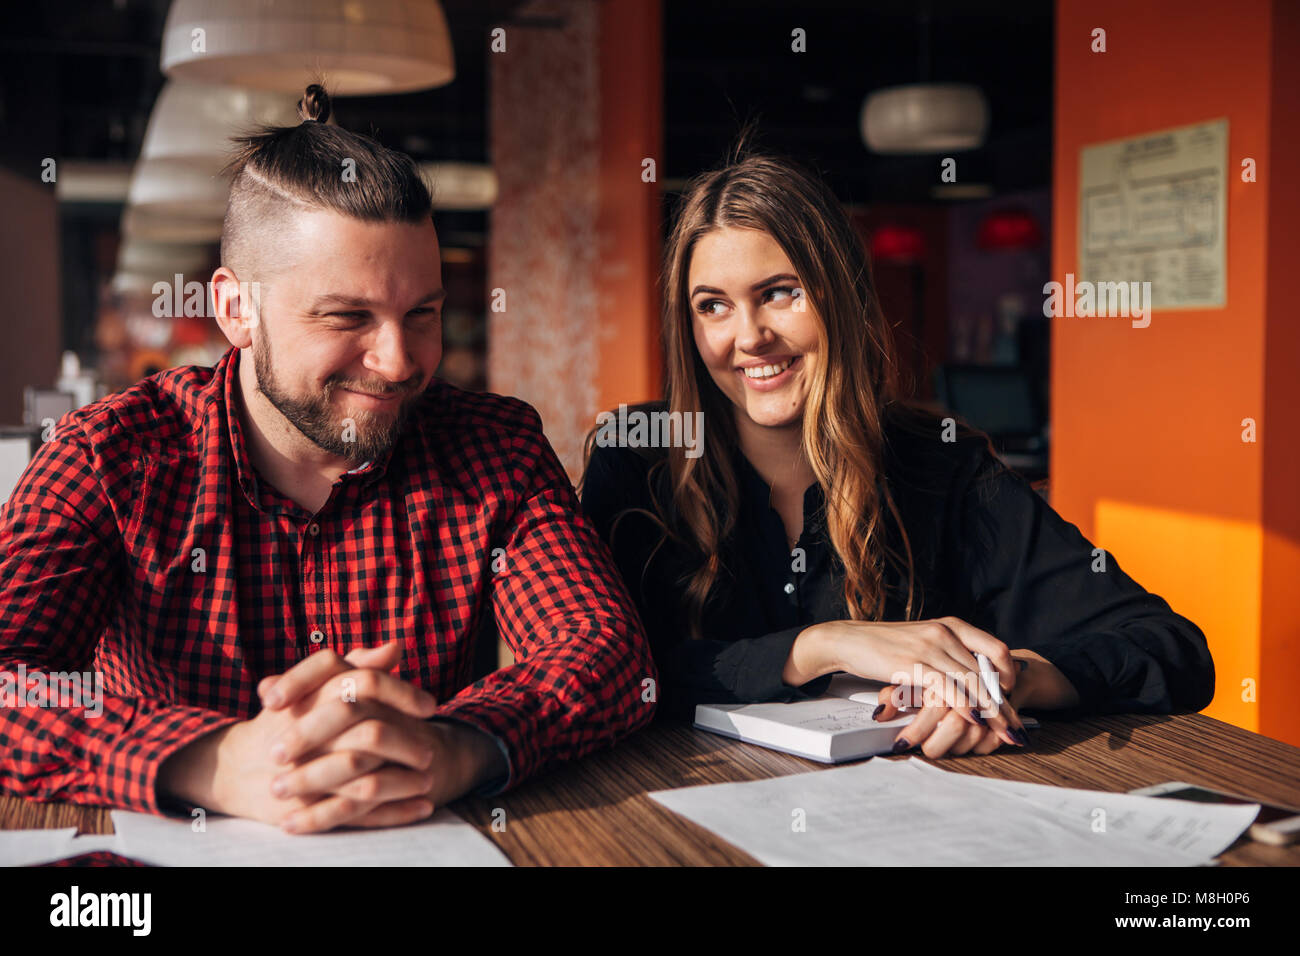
358 46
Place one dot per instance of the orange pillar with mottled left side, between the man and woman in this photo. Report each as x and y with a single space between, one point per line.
575 115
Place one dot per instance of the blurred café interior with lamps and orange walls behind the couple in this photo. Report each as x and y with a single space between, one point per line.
557 136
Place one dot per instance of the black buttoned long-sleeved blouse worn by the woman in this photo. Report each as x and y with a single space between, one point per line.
987 550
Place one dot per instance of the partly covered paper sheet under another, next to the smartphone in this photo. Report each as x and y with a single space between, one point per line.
1184 827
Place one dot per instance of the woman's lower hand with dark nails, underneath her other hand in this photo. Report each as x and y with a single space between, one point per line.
939 730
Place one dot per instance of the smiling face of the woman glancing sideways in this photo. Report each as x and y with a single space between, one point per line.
755 328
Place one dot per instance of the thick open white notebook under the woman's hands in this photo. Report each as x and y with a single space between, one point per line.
831 730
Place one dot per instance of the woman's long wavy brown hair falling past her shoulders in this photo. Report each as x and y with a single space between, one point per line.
852 386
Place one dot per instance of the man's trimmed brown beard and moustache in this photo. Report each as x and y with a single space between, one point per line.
372 432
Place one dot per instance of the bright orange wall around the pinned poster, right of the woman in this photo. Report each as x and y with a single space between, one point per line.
1147 455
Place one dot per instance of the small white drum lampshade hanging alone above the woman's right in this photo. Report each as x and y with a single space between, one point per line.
925 118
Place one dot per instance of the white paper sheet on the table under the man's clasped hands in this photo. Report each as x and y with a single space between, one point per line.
444 841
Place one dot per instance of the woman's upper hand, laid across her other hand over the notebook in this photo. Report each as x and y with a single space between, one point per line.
937 657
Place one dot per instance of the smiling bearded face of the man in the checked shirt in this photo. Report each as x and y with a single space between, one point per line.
358 318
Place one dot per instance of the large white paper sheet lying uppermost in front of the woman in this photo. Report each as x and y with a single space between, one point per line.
885 814
